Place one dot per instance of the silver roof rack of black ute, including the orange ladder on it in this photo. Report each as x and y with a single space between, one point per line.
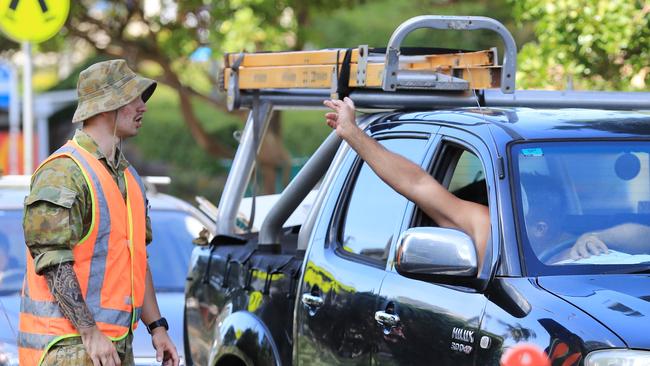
382 79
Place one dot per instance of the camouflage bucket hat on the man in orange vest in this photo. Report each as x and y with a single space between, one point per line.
107 86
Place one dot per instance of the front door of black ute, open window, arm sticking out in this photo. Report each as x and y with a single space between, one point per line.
438 323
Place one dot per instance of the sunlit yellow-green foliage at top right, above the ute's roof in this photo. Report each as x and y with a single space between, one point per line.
597 44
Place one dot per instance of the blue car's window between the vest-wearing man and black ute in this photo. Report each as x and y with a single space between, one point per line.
171 247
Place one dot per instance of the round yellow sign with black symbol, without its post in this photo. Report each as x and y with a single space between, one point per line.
32 20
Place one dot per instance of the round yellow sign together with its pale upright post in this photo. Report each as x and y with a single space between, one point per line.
31 21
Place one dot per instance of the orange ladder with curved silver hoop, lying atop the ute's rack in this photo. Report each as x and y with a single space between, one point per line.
337 72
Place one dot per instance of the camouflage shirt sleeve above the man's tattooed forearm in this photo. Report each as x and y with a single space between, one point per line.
54 212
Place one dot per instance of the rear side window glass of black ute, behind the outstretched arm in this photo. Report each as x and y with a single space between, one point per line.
374 208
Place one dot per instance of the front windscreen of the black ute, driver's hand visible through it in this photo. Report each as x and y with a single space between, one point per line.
584 203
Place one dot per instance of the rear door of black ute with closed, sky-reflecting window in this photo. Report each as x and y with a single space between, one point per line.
347 259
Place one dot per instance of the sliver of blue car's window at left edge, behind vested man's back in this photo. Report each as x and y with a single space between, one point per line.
12 250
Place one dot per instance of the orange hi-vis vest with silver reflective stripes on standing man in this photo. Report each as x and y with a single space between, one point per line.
110 263
